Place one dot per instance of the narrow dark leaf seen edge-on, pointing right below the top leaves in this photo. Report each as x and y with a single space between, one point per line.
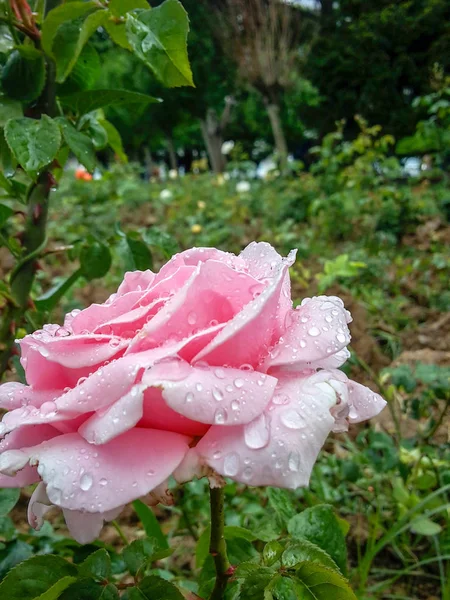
89 100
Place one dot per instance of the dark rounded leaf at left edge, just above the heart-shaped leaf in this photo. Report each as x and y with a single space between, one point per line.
23 78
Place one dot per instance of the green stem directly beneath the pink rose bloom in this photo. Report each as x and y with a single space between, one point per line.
217 546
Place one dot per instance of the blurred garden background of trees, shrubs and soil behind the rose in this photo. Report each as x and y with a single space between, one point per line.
317 125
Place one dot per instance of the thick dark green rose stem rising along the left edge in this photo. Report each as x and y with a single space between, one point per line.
33 237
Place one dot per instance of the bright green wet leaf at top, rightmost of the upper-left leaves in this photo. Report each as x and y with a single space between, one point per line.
159 38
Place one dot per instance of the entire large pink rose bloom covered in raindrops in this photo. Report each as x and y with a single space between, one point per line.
201 369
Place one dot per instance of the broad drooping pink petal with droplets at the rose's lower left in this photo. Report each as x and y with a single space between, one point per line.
81 476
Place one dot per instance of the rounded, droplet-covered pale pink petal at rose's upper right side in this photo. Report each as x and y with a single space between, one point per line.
315 335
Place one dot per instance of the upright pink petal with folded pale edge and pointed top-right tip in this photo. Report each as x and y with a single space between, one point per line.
257 322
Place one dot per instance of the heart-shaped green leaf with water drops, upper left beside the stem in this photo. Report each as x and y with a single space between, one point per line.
34 143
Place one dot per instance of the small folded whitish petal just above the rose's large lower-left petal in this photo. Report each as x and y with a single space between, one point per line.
114 420
